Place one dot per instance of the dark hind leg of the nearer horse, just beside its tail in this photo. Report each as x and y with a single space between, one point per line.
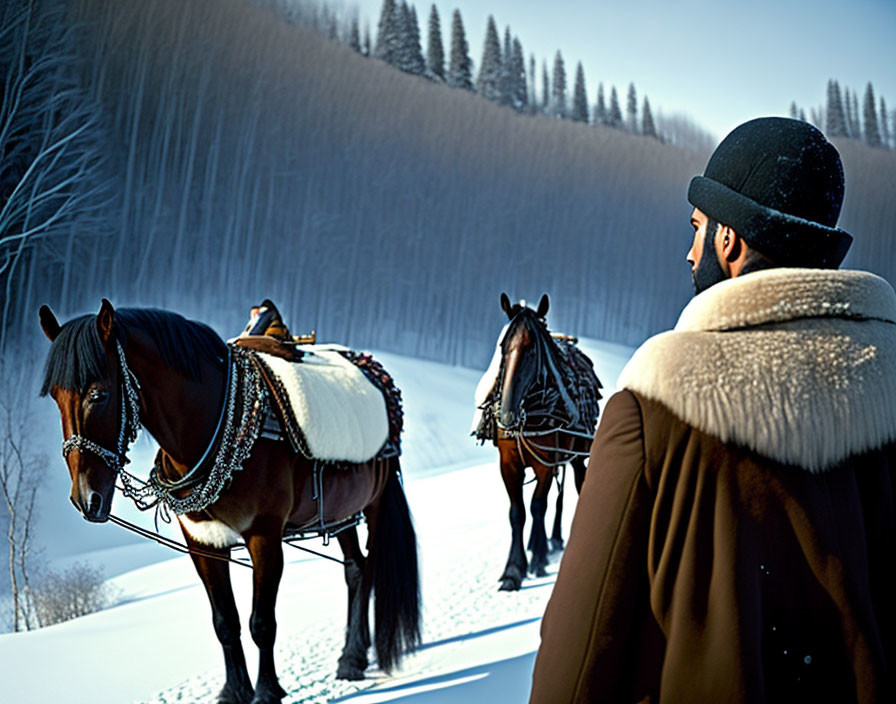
353 661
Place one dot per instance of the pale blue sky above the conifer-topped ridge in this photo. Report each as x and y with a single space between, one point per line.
721 61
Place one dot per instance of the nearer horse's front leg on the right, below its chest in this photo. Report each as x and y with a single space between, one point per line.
267 562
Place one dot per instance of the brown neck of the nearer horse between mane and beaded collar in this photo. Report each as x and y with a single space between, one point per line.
179 412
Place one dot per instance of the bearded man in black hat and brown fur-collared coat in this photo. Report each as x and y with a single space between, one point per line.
735 533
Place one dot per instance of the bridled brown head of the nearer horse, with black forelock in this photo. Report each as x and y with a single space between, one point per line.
83 377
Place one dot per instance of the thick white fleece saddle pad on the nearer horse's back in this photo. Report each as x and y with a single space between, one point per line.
342 415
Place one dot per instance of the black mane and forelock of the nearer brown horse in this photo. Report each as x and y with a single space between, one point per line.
76 358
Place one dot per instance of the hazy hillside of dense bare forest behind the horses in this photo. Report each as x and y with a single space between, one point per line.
202 156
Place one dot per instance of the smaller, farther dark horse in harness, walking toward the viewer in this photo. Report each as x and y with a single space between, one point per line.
541 413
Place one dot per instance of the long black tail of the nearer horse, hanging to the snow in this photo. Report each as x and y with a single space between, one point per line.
396 578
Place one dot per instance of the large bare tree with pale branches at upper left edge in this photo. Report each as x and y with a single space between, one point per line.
51 158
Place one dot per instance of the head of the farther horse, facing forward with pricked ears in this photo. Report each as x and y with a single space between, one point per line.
521 352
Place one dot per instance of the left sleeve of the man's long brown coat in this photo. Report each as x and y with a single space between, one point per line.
600 642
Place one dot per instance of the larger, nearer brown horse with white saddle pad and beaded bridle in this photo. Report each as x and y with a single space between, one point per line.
111 372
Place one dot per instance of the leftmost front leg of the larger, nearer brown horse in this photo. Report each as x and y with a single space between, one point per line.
215 576
